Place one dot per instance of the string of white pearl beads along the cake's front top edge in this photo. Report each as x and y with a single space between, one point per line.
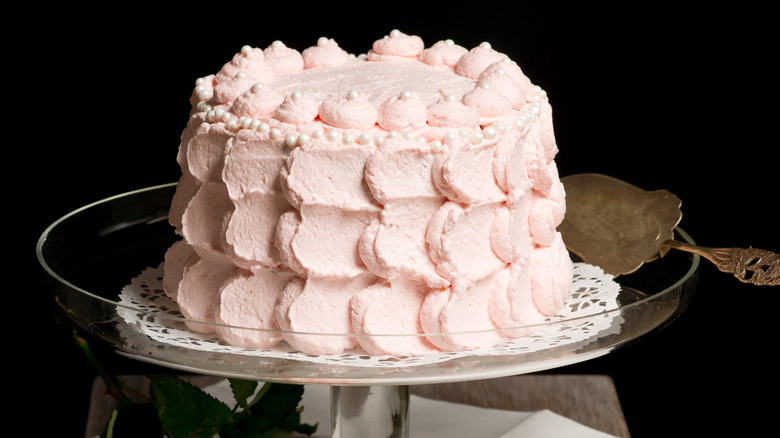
475 136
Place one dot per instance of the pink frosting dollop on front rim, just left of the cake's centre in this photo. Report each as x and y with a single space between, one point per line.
351 111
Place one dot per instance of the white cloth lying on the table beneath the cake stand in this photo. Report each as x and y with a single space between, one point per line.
434 418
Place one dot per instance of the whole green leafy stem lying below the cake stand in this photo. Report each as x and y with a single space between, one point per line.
175 408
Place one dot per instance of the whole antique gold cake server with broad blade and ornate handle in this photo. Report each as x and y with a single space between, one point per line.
619 227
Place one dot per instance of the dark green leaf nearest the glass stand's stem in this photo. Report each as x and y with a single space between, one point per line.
278 403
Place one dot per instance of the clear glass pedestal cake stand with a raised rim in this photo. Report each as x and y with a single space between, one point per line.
92 253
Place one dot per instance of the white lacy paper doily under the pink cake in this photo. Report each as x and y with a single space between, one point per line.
583 320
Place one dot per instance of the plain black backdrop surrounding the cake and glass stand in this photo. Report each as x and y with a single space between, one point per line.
663 96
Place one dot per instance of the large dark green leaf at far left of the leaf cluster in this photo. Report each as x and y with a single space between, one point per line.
185 410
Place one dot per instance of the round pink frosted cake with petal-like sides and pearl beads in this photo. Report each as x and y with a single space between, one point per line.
327 200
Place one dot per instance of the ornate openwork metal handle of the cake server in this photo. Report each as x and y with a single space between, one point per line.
749 265
